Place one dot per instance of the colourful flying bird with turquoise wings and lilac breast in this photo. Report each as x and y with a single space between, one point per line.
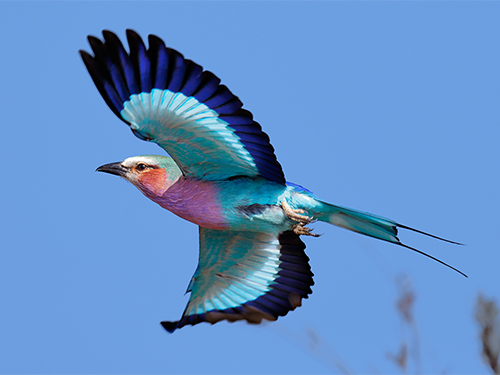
222 174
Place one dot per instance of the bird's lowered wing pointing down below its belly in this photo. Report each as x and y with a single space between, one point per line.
246 275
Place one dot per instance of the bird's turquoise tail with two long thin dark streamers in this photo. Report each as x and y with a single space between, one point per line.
370 225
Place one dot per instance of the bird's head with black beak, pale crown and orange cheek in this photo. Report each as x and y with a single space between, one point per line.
151 174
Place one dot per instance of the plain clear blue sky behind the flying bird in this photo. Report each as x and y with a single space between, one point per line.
387 107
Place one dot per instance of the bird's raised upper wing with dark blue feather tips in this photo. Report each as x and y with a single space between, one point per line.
171 101
